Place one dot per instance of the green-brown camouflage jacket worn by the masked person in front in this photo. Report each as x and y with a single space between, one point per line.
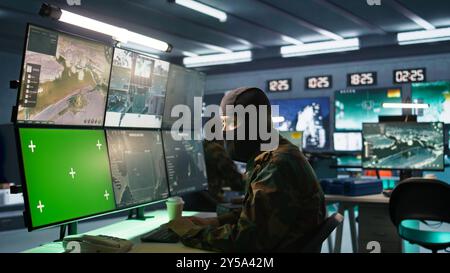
283 203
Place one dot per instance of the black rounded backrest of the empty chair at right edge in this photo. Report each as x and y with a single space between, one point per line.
420 199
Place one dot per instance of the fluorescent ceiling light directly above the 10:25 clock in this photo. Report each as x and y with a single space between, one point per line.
320 48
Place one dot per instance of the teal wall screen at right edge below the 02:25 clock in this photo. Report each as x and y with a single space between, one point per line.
437 95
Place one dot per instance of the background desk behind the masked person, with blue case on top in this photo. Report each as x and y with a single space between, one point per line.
374 223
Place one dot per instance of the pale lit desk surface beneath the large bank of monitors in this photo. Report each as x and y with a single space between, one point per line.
133 230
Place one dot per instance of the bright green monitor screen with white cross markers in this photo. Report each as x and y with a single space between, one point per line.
67 175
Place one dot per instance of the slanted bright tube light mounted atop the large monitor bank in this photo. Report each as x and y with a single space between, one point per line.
117 33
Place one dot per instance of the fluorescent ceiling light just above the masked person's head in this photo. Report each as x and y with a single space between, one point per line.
217 59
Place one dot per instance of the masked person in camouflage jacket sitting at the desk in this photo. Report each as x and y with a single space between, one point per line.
283 204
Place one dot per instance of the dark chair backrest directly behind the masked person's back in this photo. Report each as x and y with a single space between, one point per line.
315 242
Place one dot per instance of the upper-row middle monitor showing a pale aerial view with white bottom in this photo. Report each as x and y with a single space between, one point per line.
137 90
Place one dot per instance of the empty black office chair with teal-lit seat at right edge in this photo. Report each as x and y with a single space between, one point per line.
421 199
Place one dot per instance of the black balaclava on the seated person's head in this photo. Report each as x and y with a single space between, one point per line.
245 150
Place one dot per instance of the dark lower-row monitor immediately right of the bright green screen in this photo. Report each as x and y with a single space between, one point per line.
137 166
